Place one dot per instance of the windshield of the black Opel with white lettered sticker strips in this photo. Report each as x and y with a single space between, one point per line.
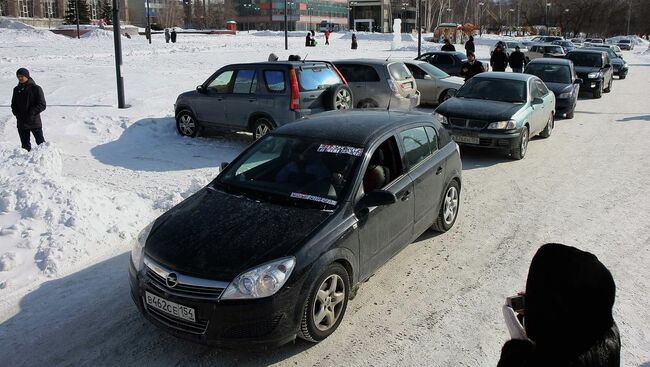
293 171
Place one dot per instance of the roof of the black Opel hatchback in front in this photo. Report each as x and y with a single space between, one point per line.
358 127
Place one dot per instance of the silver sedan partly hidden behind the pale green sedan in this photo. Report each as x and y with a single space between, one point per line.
435 86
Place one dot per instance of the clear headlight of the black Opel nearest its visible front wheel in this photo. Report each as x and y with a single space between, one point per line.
262 281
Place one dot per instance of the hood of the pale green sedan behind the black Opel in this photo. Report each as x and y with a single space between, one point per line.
478 109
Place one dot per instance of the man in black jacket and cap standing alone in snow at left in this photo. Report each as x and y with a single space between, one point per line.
27 103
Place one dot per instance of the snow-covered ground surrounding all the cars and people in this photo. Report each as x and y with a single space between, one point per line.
70 209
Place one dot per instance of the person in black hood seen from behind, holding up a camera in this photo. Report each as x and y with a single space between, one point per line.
567 313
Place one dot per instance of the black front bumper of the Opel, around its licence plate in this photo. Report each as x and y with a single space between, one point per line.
267 322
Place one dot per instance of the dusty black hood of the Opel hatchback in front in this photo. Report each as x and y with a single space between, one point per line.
217 235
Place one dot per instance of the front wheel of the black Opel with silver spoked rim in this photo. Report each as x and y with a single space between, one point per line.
327 300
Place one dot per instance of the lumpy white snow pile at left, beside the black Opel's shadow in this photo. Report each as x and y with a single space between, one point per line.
49 224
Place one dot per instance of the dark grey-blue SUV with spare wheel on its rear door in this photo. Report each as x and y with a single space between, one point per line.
259 97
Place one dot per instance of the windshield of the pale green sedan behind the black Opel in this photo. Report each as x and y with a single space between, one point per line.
503 90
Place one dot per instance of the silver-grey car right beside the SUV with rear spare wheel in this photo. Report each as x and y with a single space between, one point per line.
380 83
